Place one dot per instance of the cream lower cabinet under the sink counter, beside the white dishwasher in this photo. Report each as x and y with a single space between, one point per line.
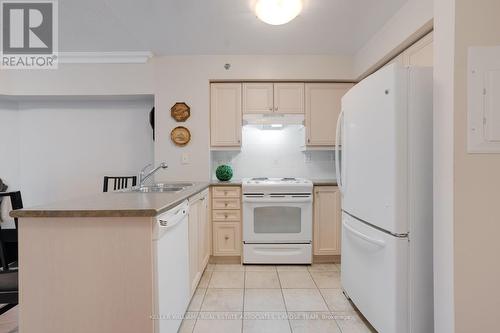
199 238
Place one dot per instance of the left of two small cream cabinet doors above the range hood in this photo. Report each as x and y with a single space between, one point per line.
258 98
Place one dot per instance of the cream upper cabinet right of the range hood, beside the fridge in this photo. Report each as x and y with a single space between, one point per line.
322 108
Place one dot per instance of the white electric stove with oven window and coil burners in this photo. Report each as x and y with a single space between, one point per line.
277 221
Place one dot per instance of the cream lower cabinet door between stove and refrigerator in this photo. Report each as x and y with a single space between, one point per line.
327 221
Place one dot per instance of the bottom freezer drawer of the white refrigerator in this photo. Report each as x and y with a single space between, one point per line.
375 274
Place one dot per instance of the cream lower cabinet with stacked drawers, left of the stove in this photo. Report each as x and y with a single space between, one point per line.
226 220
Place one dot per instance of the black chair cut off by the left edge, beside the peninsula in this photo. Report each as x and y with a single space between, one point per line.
9 286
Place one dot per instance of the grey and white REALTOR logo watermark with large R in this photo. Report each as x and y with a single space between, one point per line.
29 34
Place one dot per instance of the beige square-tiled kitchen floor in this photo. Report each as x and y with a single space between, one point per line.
271 299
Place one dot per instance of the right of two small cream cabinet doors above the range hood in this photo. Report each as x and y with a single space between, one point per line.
289 98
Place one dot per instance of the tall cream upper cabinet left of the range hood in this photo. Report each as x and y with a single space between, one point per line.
225 114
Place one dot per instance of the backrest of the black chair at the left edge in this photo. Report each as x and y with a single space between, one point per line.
8 254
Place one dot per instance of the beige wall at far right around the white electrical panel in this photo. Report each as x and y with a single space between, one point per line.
477 187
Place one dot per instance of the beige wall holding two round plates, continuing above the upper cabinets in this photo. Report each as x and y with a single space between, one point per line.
186 79
